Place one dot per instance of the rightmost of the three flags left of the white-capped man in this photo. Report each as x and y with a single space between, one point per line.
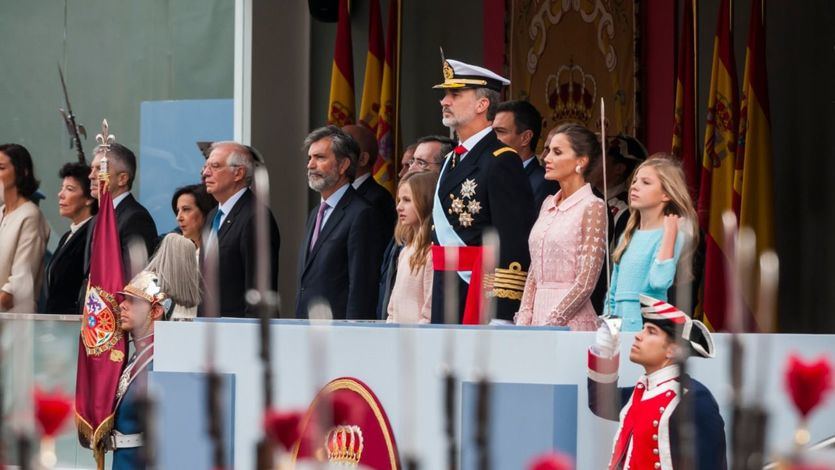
387 120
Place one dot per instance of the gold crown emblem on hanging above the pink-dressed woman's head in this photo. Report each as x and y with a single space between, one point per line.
571 95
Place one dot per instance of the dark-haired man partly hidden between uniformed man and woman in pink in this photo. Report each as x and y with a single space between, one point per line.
518 124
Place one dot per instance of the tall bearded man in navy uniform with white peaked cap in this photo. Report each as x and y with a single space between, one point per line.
482 184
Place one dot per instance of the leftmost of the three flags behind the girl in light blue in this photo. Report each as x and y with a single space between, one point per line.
684 125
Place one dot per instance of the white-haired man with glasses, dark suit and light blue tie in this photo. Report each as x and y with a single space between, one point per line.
228 174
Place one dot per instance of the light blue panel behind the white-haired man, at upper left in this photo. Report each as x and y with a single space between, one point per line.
168 153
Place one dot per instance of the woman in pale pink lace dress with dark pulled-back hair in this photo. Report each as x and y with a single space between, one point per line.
568 241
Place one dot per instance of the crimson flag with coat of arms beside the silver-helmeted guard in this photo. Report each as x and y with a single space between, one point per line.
102 346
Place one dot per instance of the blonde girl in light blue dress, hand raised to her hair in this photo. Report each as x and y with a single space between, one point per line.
658 241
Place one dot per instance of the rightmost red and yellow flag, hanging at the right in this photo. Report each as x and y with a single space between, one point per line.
753 179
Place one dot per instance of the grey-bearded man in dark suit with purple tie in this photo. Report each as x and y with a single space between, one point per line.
340 261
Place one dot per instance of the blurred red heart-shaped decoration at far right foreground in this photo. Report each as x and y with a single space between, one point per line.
808 383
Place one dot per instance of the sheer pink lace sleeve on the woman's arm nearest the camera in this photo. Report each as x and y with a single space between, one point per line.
590 255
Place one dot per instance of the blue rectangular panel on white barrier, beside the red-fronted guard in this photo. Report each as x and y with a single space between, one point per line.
525 421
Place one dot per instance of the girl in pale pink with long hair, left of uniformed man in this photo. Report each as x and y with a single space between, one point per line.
411 296
